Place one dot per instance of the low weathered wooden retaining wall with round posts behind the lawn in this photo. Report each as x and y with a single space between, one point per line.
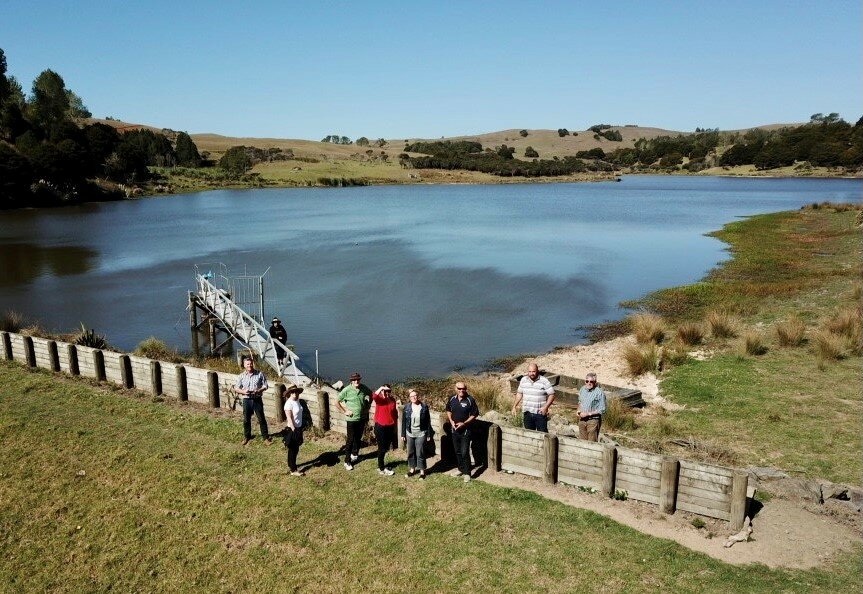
667 482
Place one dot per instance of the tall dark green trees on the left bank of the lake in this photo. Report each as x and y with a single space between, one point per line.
49 157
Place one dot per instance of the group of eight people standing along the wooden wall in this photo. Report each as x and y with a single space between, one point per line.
535 394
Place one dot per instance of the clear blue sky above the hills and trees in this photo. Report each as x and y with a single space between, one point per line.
402 69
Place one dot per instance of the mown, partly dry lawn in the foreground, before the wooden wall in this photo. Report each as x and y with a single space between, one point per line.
102 489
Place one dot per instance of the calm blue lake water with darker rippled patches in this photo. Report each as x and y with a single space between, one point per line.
392 281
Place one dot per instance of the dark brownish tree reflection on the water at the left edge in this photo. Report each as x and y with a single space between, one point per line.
22 263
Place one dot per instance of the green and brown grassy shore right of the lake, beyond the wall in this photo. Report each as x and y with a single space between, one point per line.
788 407
